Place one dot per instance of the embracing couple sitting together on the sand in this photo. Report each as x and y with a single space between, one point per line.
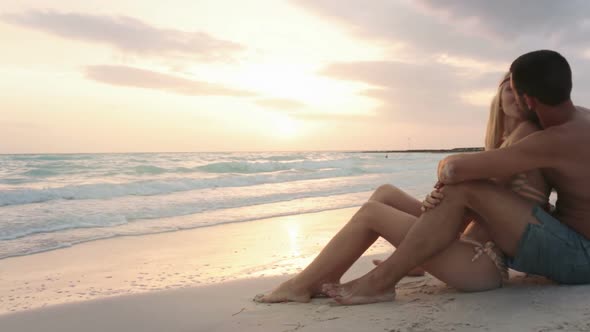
495 202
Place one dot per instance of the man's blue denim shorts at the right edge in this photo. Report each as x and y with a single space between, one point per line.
553 250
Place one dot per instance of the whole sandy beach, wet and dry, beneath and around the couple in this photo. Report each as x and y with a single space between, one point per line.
204 280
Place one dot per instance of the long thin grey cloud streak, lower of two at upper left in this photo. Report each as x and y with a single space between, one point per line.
141 78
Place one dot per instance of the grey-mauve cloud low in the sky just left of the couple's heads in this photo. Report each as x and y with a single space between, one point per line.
419 93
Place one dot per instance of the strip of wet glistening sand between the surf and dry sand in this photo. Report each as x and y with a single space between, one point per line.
154 262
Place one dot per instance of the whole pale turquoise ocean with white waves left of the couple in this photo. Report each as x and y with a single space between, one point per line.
50 201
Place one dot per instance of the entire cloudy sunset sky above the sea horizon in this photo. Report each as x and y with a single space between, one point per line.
267 75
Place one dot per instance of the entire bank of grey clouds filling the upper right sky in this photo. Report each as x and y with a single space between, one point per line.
444 58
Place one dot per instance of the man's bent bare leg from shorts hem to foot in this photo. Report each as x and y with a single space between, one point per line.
504 214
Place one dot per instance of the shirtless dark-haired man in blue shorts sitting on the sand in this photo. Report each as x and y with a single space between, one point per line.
554 245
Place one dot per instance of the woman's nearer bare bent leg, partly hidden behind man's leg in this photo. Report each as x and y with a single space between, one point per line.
375 219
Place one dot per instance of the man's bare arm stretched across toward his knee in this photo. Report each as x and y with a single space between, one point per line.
538 150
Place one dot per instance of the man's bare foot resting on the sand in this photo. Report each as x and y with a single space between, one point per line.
358 292
